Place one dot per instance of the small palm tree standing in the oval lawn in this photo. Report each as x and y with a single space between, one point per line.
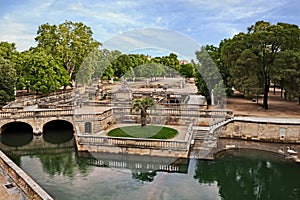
142 104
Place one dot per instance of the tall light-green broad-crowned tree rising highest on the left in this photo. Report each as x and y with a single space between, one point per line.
68 42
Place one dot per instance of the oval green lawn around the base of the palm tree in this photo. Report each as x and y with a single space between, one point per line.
149 131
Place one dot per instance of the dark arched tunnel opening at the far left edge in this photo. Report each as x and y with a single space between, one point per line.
16 134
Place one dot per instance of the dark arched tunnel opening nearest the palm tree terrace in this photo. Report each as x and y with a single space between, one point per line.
58 131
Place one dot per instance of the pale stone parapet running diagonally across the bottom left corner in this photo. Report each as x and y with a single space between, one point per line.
22 180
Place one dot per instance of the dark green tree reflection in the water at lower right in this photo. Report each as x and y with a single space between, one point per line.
249 174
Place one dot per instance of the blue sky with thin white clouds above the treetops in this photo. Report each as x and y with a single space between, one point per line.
201 21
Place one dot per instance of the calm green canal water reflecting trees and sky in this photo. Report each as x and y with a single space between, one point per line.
234 175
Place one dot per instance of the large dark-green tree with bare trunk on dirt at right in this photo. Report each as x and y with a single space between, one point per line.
252 55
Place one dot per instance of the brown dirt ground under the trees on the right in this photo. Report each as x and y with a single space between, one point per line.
278 107
